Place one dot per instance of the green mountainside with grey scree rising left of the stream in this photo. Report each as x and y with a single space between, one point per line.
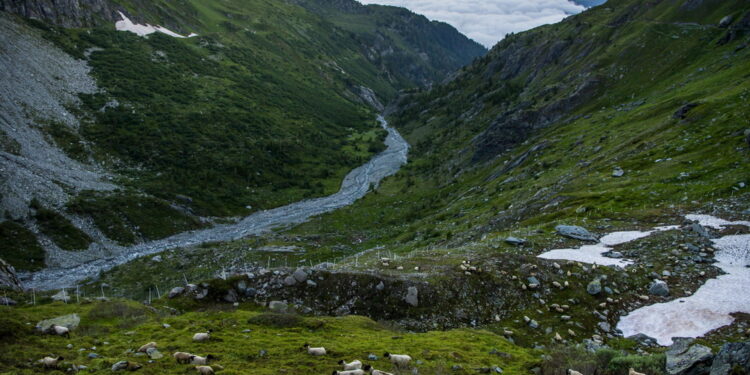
270 103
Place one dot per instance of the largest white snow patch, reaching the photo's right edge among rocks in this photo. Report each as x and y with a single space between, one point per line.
709 307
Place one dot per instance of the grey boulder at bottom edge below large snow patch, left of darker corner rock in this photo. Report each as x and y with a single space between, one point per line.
686 359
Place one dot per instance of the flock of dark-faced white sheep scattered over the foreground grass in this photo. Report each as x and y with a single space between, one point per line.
399 361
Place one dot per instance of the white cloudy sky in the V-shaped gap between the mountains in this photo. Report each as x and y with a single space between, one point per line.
487 21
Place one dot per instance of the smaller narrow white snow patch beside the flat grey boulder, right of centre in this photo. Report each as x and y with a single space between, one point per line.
593 253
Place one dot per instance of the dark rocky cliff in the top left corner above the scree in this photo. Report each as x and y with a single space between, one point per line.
65 13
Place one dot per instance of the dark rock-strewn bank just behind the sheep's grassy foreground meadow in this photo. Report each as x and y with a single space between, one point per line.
464 300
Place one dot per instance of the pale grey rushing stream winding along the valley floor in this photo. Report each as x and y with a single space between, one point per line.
355 185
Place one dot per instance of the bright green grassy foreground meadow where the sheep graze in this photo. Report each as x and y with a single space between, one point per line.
244 339
